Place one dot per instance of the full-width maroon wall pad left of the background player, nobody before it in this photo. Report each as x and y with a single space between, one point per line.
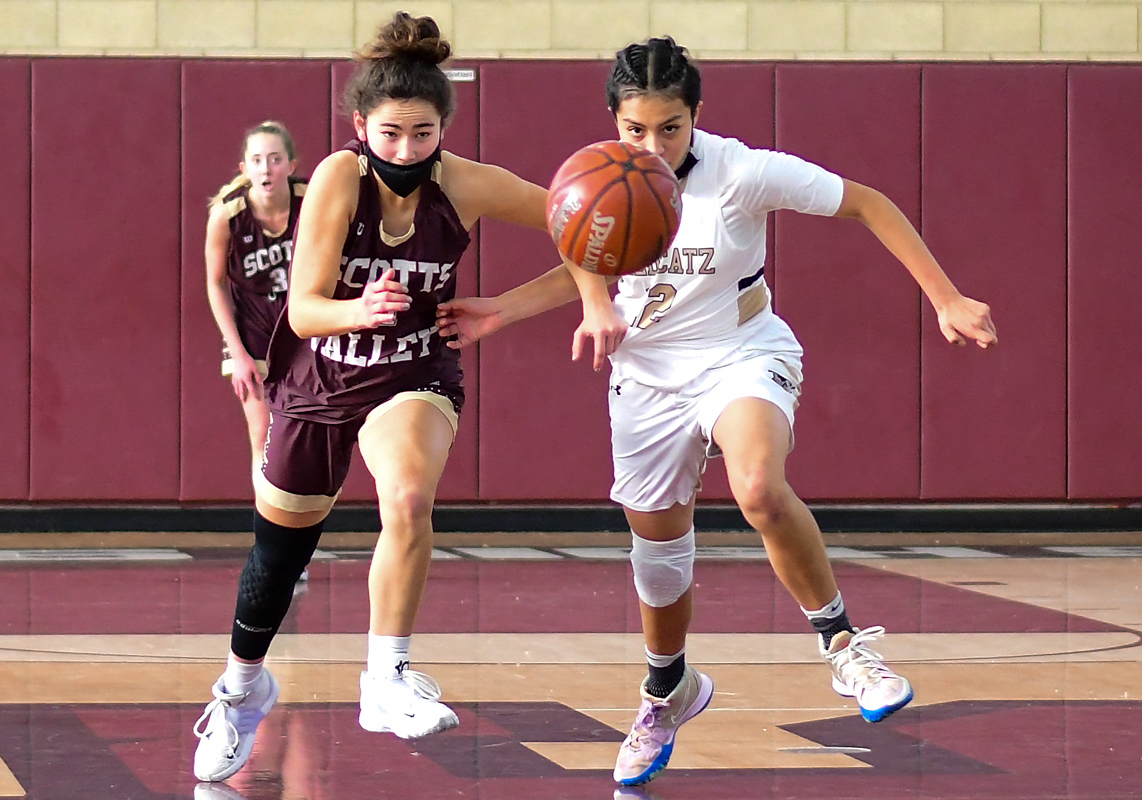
106 337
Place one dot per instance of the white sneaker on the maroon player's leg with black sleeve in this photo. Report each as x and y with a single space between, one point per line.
227 729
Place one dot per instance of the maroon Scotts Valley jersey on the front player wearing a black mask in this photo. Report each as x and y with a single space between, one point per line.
335 379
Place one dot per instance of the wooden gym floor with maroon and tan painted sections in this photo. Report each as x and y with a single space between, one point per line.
1025 659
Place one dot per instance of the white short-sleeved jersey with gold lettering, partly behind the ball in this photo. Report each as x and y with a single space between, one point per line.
705 304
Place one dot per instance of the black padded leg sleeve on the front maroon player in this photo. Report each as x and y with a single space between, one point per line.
267 586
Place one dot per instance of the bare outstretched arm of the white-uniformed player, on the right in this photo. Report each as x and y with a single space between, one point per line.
961 318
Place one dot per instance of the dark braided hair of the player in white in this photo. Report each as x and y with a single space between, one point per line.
658 67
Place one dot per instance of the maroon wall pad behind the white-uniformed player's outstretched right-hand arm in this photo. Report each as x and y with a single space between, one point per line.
854 308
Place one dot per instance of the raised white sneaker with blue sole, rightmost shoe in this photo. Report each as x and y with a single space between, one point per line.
859 672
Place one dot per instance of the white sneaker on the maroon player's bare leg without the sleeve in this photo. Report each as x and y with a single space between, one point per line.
408 707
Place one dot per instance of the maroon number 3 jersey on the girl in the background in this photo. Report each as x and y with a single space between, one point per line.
259 268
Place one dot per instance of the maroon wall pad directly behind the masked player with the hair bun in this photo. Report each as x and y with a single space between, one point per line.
460 481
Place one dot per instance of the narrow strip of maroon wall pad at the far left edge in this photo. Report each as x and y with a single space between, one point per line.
15 274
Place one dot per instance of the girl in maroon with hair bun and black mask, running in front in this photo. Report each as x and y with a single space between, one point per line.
361 362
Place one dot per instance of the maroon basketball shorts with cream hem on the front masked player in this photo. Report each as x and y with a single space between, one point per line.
305 462
